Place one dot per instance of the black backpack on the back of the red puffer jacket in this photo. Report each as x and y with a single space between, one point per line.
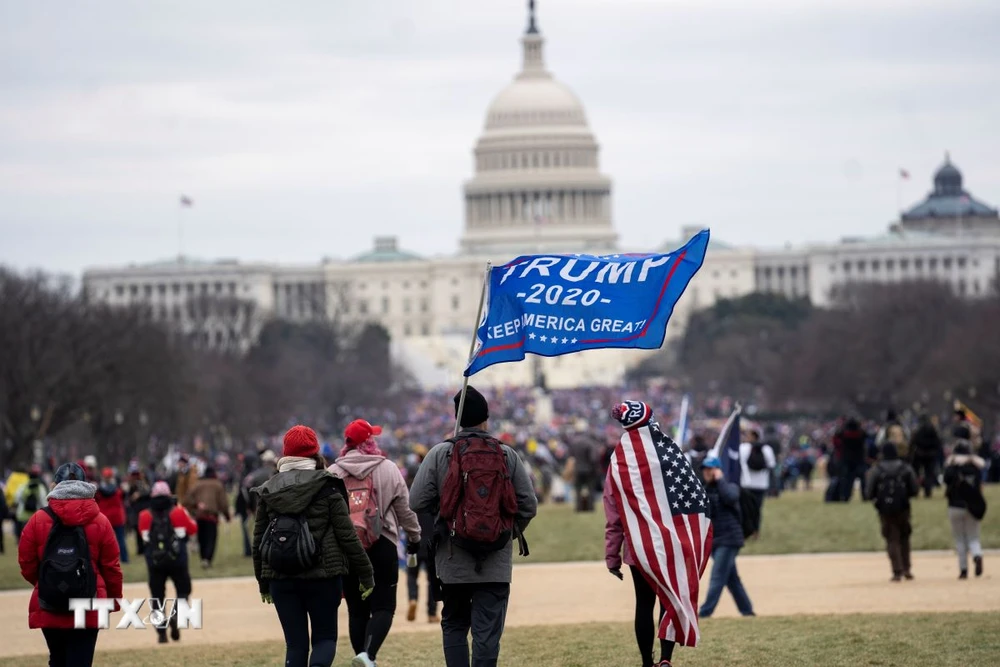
66 571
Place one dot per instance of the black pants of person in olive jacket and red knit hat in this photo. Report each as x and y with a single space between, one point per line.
299 603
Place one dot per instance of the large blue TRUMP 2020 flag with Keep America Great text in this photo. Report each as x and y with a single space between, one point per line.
552 305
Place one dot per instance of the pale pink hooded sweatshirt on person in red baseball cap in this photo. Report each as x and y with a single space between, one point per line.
390 491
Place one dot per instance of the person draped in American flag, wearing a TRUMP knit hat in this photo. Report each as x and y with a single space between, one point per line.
657 524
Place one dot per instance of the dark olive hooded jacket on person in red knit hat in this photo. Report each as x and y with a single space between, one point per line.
294 492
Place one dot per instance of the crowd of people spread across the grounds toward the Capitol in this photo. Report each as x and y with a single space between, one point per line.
328 521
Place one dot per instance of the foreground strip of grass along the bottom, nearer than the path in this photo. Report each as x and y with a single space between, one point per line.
964 640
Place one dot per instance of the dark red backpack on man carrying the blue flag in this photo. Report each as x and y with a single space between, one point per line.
478 502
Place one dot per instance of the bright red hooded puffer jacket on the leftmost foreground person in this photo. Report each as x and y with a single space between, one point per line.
73 502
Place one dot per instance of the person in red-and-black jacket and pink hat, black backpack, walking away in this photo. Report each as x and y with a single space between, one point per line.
165 529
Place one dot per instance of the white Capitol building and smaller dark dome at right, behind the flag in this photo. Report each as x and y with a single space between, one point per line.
538 187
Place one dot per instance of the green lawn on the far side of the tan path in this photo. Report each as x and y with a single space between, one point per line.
798 522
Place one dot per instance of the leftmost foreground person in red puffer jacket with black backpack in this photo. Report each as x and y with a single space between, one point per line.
71 506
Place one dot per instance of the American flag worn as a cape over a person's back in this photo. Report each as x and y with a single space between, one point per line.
664 514
